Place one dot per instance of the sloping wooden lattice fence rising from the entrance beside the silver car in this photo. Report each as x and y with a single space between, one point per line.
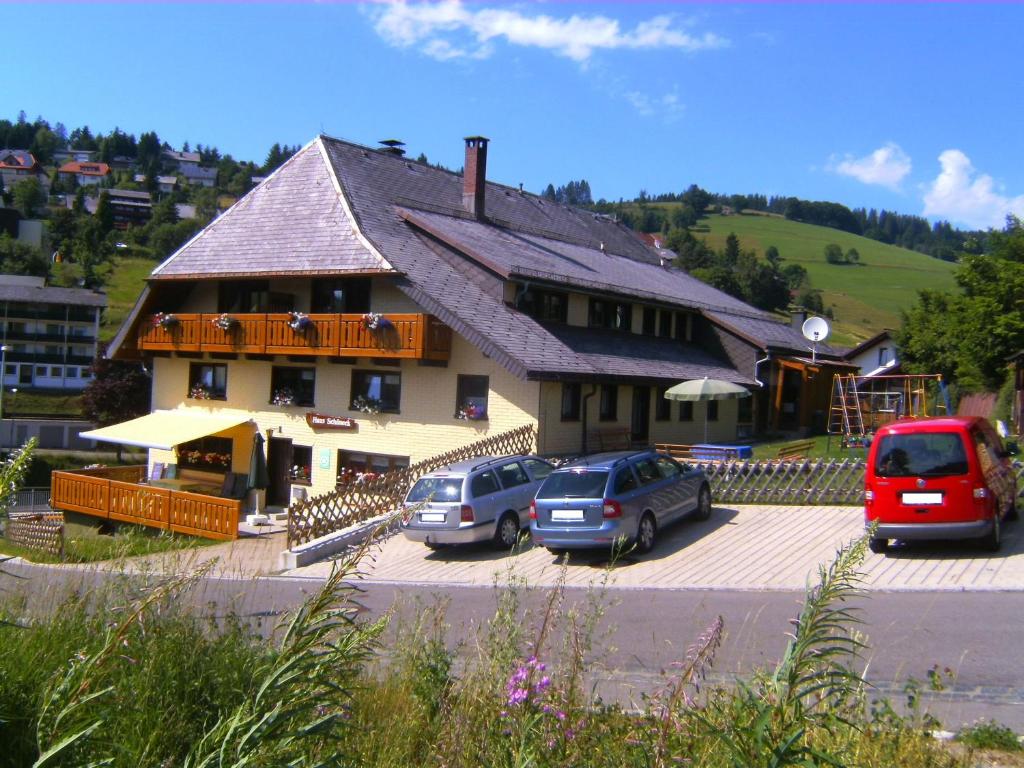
361 501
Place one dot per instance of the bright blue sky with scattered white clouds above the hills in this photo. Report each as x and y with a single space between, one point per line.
915 108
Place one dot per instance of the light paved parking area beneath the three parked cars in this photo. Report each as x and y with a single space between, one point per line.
741 547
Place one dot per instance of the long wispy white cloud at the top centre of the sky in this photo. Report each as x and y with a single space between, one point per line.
449 30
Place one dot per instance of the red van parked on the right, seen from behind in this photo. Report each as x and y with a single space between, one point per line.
940 479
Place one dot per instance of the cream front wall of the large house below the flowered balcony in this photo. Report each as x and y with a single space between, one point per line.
425 428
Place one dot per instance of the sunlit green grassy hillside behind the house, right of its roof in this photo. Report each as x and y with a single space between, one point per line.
866 297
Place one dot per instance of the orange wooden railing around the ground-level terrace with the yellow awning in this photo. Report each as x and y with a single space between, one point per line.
119 494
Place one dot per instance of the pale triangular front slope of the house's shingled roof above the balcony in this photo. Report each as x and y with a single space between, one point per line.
293 224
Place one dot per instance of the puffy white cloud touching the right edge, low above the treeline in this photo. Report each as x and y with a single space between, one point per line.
963 196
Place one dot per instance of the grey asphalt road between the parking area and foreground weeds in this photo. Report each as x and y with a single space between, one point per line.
974 634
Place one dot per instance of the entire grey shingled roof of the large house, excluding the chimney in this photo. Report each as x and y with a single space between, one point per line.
453 266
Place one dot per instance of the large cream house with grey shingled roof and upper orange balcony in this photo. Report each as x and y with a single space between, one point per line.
363 312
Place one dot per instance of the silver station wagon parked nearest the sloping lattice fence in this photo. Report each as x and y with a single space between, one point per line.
479 500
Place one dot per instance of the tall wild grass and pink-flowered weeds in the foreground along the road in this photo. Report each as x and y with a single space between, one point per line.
129 675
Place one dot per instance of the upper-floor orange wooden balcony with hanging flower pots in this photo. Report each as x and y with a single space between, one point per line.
412 336
